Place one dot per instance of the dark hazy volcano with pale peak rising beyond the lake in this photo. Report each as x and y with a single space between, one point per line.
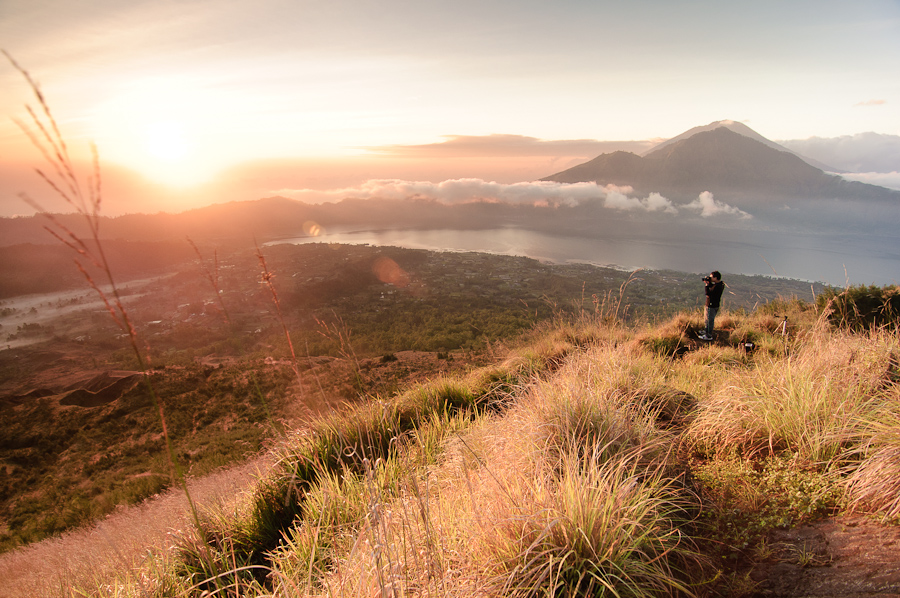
730 160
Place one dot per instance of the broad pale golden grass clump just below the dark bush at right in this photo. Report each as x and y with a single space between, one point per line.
811 402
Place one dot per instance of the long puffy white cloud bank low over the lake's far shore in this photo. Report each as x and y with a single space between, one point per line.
537 193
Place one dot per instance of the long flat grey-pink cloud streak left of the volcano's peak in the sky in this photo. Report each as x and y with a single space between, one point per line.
498 145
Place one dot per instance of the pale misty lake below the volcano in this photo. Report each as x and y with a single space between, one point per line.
832 259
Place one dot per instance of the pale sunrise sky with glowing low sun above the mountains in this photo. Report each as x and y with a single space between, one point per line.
192 102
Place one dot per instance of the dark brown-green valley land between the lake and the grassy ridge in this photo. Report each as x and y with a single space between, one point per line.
69 390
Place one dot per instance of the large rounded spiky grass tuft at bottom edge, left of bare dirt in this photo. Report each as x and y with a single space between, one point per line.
605 527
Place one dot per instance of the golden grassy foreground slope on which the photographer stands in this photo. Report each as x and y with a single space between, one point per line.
589 457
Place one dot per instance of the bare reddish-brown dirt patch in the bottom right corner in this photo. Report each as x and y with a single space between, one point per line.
846 557
